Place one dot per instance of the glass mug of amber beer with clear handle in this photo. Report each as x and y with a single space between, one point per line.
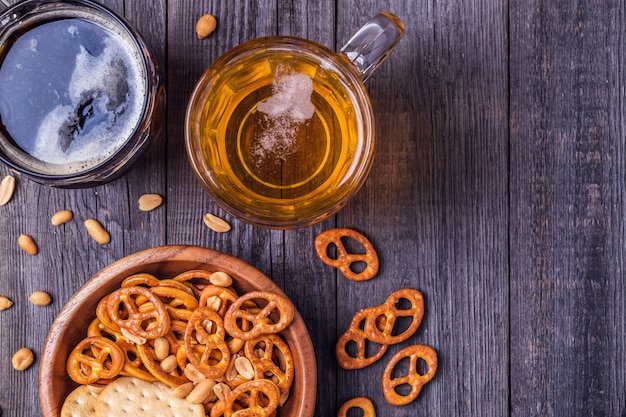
280 130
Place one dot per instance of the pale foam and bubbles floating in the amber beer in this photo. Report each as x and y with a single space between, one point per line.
285 111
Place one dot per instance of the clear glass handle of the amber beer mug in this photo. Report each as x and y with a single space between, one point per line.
373 42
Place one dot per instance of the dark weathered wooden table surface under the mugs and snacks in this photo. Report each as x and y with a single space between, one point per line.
497 191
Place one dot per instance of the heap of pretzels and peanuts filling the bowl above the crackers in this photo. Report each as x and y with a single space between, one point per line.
185 330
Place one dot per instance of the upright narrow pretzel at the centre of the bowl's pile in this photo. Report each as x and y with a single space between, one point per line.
210 355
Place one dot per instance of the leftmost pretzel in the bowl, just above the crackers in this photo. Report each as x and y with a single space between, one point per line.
94 358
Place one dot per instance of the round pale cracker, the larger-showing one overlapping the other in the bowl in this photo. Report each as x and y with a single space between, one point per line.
129 396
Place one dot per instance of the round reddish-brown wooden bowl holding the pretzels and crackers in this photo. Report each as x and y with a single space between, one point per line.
71 324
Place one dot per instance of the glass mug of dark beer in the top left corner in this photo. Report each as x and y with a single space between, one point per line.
81 97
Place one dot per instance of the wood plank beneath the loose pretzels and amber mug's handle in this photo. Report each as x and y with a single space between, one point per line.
435 204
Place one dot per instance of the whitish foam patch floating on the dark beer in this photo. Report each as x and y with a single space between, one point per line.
106 101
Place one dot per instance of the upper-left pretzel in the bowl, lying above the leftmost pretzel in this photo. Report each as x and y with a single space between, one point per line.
146 324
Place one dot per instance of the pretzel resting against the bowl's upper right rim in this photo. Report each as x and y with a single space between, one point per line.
261 321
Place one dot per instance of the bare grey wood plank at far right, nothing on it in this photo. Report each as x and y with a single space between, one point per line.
567 208
